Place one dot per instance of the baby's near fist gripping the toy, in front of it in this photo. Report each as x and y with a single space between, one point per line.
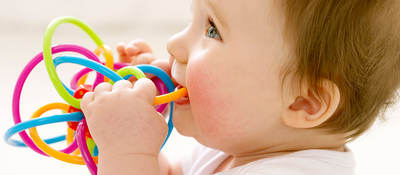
122 119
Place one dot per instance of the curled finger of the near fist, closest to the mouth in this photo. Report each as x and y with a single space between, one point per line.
146 88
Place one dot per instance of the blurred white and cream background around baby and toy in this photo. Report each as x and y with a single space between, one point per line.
22 27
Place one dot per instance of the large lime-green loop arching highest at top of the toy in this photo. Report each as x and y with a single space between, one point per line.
48 56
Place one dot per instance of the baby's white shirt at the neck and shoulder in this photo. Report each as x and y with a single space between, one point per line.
205 160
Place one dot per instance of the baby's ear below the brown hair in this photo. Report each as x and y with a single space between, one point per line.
305 110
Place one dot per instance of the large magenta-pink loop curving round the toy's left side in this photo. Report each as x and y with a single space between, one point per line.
24 75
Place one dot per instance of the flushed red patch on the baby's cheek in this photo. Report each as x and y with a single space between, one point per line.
210 106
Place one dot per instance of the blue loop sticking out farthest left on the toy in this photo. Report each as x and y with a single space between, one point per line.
75 117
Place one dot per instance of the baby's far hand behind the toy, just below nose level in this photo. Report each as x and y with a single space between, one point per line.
139 52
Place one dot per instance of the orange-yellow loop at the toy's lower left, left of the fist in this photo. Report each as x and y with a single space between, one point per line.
46 148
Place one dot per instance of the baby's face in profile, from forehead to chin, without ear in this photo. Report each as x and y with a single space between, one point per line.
231 68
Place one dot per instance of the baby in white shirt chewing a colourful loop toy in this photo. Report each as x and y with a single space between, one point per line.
275 87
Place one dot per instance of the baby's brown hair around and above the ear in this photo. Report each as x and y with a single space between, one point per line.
353 43
